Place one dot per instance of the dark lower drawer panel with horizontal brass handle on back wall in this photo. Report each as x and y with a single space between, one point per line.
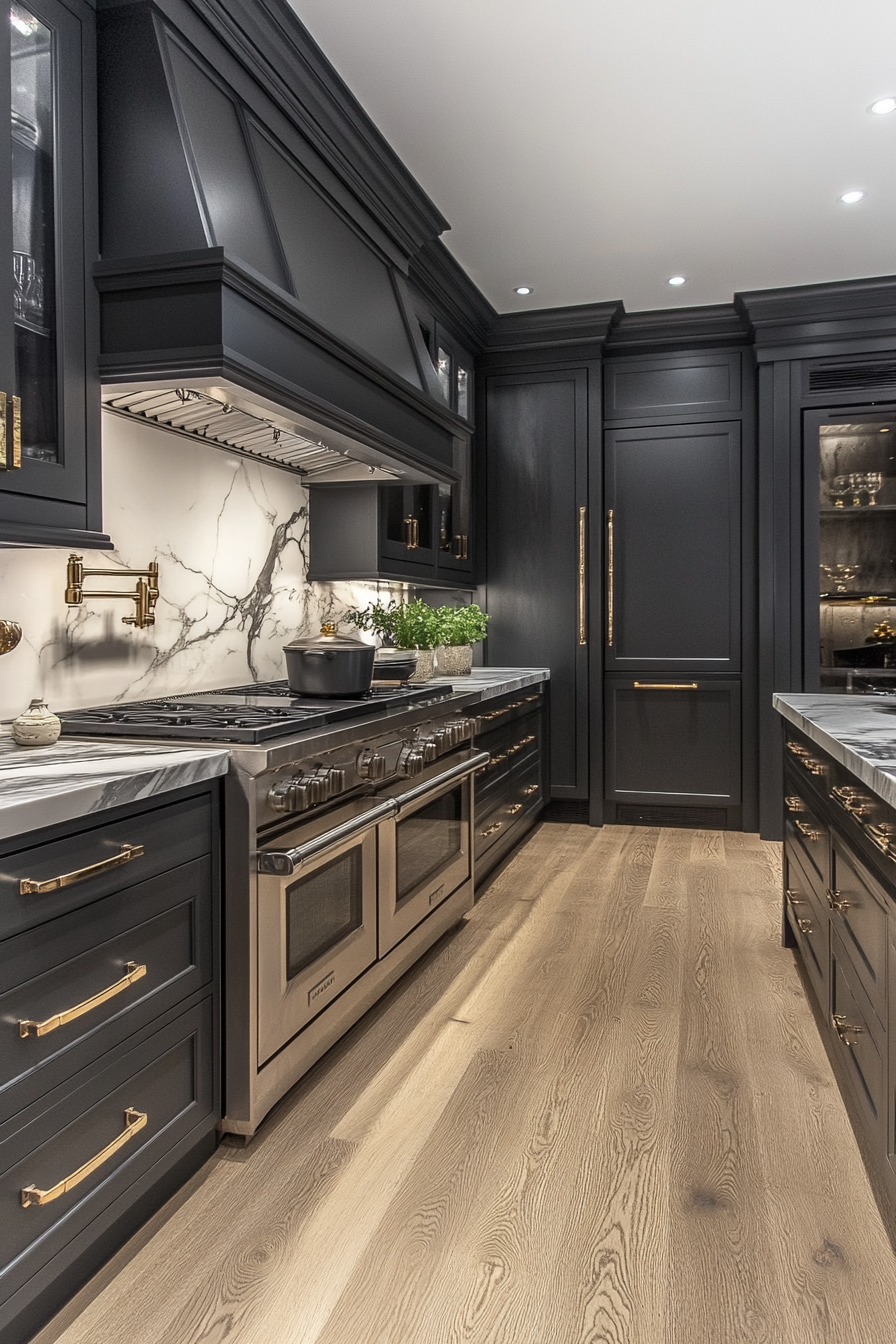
674 747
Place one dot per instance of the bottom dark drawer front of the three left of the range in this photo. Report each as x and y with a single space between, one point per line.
167 1079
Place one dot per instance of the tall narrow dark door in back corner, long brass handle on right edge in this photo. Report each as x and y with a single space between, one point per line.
537 462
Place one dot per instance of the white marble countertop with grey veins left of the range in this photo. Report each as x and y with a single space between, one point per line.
42 787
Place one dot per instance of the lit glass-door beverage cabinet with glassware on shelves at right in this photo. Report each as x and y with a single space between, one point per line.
856 491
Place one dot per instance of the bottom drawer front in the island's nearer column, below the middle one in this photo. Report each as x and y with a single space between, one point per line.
858 1042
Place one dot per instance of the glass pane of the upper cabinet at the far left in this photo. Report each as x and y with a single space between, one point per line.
34 236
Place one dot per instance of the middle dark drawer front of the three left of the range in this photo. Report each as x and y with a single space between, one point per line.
162 929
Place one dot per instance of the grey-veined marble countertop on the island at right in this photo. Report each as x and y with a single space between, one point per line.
858 730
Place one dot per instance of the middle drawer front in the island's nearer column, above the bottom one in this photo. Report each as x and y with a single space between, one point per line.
859 915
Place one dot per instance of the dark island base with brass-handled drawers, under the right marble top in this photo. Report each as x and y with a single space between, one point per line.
840 916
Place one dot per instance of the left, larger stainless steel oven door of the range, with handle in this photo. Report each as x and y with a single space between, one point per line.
316 917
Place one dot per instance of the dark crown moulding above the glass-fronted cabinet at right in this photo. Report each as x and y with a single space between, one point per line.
821 315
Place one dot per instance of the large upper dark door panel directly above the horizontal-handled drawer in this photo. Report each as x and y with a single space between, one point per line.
675 495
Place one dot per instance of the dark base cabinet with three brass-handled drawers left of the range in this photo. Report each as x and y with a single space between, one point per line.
109 1079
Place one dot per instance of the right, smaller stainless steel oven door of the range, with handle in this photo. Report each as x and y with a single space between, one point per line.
427 849
